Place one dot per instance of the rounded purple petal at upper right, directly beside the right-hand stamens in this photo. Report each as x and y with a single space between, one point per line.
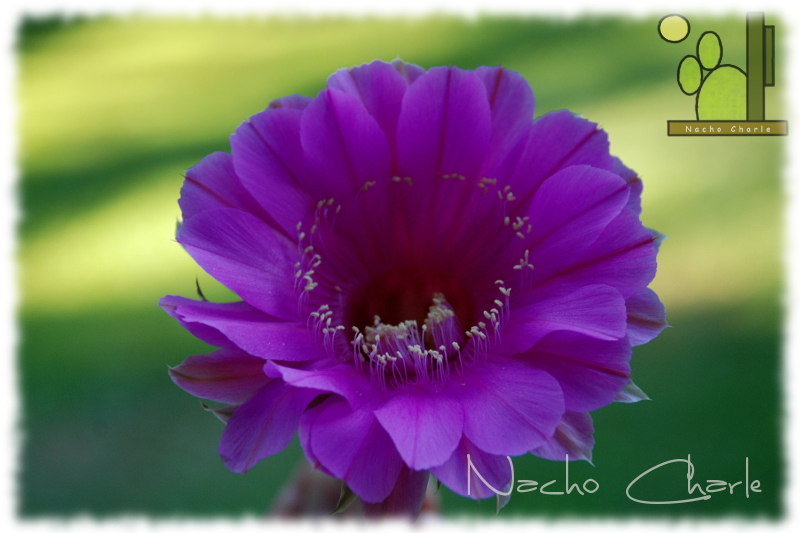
568 213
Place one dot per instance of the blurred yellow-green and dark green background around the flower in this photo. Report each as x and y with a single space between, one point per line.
113 110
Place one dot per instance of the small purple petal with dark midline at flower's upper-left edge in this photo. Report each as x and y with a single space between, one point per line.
213 184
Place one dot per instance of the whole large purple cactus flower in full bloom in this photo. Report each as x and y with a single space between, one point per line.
426 273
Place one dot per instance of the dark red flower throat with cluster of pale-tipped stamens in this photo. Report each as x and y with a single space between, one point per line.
414 333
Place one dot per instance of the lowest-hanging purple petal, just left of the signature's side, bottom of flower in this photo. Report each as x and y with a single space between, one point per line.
356 449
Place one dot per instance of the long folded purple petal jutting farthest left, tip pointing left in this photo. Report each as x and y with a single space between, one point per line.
245 327
